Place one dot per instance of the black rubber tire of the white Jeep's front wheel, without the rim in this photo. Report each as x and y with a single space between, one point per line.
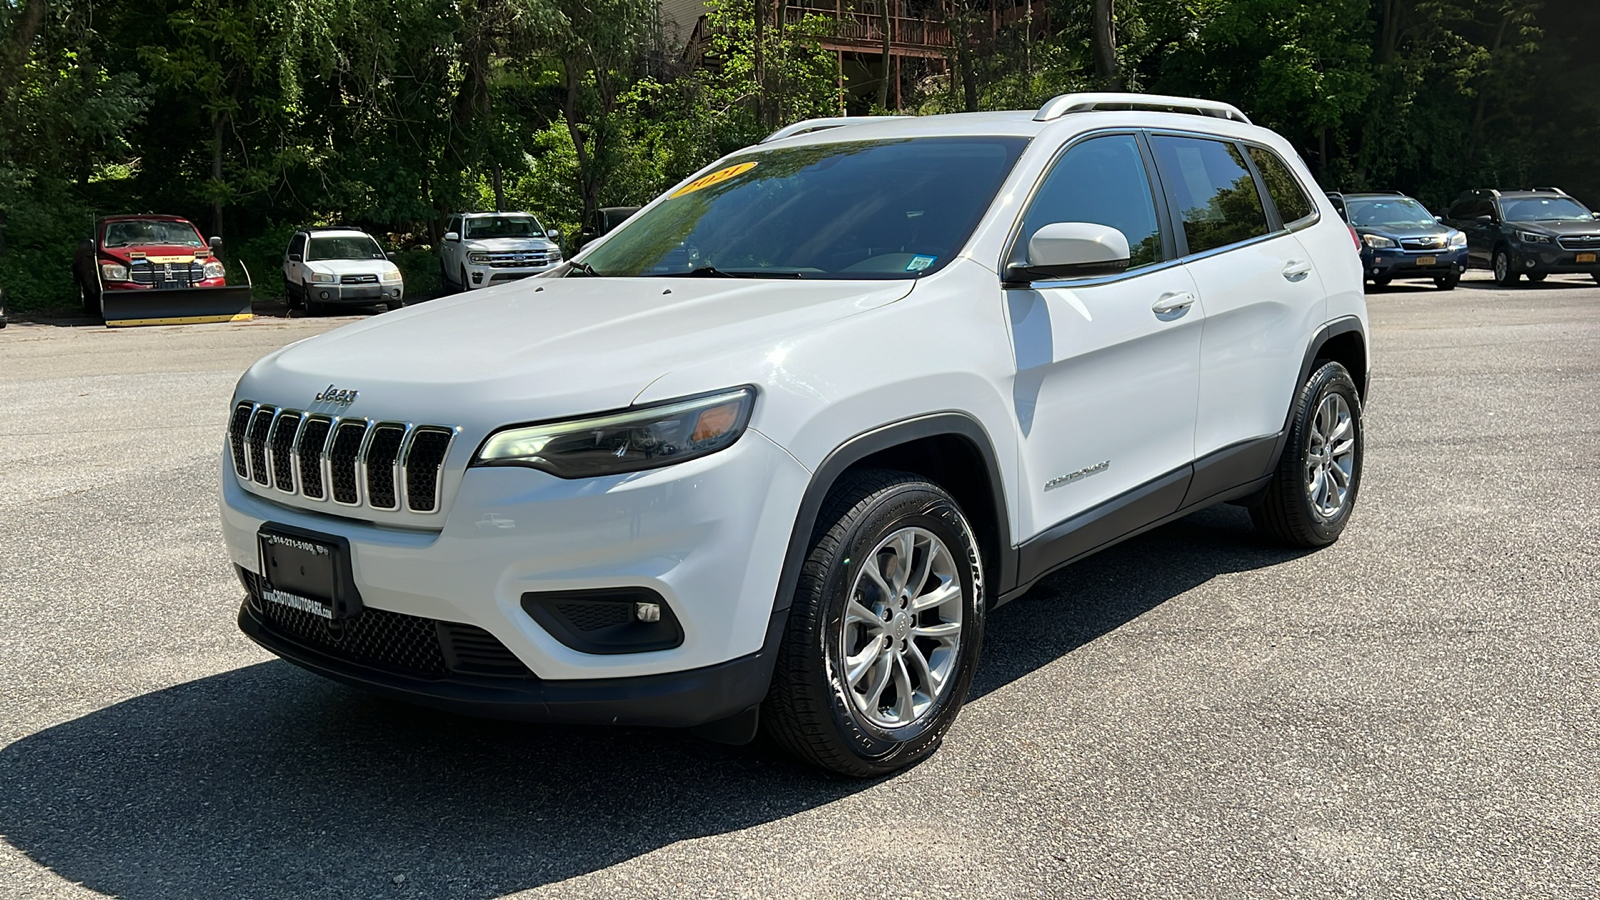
810 709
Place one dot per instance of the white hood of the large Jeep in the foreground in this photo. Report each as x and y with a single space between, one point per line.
550 348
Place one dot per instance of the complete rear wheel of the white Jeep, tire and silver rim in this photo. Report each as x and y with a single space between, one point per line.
1313 491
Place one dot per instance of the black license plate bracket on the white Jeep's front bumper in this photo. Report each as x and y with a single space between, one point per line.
308 571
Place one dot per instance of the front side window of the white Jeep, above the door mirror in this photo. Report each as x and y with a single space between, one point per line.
1102 182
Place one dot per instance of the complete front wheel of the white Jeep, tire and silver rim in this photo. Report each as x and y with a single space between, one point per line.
884 632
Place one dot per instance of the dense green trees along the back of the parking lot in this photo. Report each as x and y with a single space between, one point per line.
257 116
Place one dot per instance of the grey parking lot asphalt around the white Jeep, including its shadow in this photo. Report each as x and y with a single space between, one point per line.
1409 713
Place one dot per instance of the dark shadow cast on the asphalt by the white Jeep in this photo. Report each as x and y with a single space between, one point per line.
270 782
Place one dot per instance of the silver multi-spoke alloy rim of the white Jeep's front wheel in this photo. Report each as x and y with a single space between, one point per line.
903 629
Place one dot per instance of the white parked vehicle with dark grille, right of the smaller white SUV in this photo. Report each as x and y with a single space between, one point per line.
489 249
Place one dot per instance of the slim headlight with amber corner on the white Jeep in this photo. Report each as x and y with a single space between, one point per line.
625 443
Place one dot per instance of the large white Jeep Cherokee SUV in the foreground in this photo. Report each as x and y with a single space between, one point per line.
770 452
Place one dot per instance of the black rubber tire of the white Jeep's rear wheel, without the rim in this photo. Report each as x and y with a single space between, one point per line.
1287 513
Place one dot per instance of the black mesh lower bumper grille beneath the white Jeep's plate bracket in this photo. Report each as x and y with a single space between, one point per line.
398 643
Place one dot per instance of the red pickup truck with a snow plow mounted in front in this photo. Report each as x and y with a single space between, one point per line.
154 270
